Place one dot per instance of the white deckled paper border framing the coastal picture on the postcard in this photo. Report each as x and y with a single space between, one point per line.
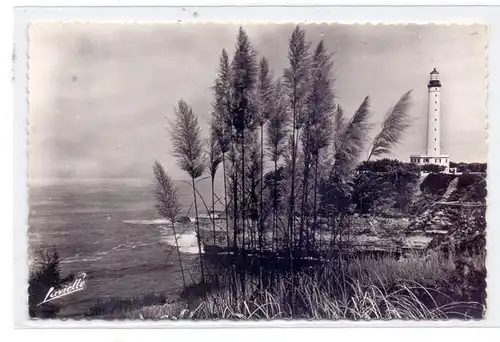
302 15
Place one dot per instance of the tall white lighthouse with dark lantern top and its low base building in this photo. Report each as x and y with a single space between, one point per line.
433 150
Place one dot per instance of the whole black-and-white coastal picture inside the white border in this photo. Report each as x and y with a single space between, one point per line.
257 171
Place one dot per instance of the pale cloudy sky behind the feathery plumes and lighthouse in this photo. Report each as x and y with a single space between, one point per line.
100 94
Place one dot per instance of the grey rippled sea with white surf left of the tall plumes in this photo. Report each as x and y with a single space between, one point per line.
110 230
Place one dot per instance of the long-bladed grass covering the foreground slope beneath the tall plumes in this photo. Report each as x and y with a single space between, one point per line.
413 288
